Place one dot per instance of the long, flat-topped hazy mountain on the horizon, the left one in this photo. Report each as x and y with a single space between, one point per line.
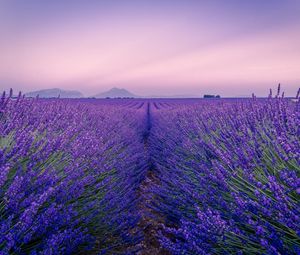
48 93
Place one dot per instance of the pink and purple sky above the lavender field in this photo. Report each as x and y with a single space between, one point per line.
157 47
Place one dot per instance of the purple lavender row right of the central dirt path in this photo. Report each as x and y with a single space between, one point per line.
229 176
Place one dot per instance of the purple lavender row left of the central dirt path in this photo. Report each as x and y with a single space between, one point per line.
69 171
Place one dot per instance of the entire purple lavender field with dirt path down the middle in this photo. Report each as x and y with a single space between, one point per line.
149 176
